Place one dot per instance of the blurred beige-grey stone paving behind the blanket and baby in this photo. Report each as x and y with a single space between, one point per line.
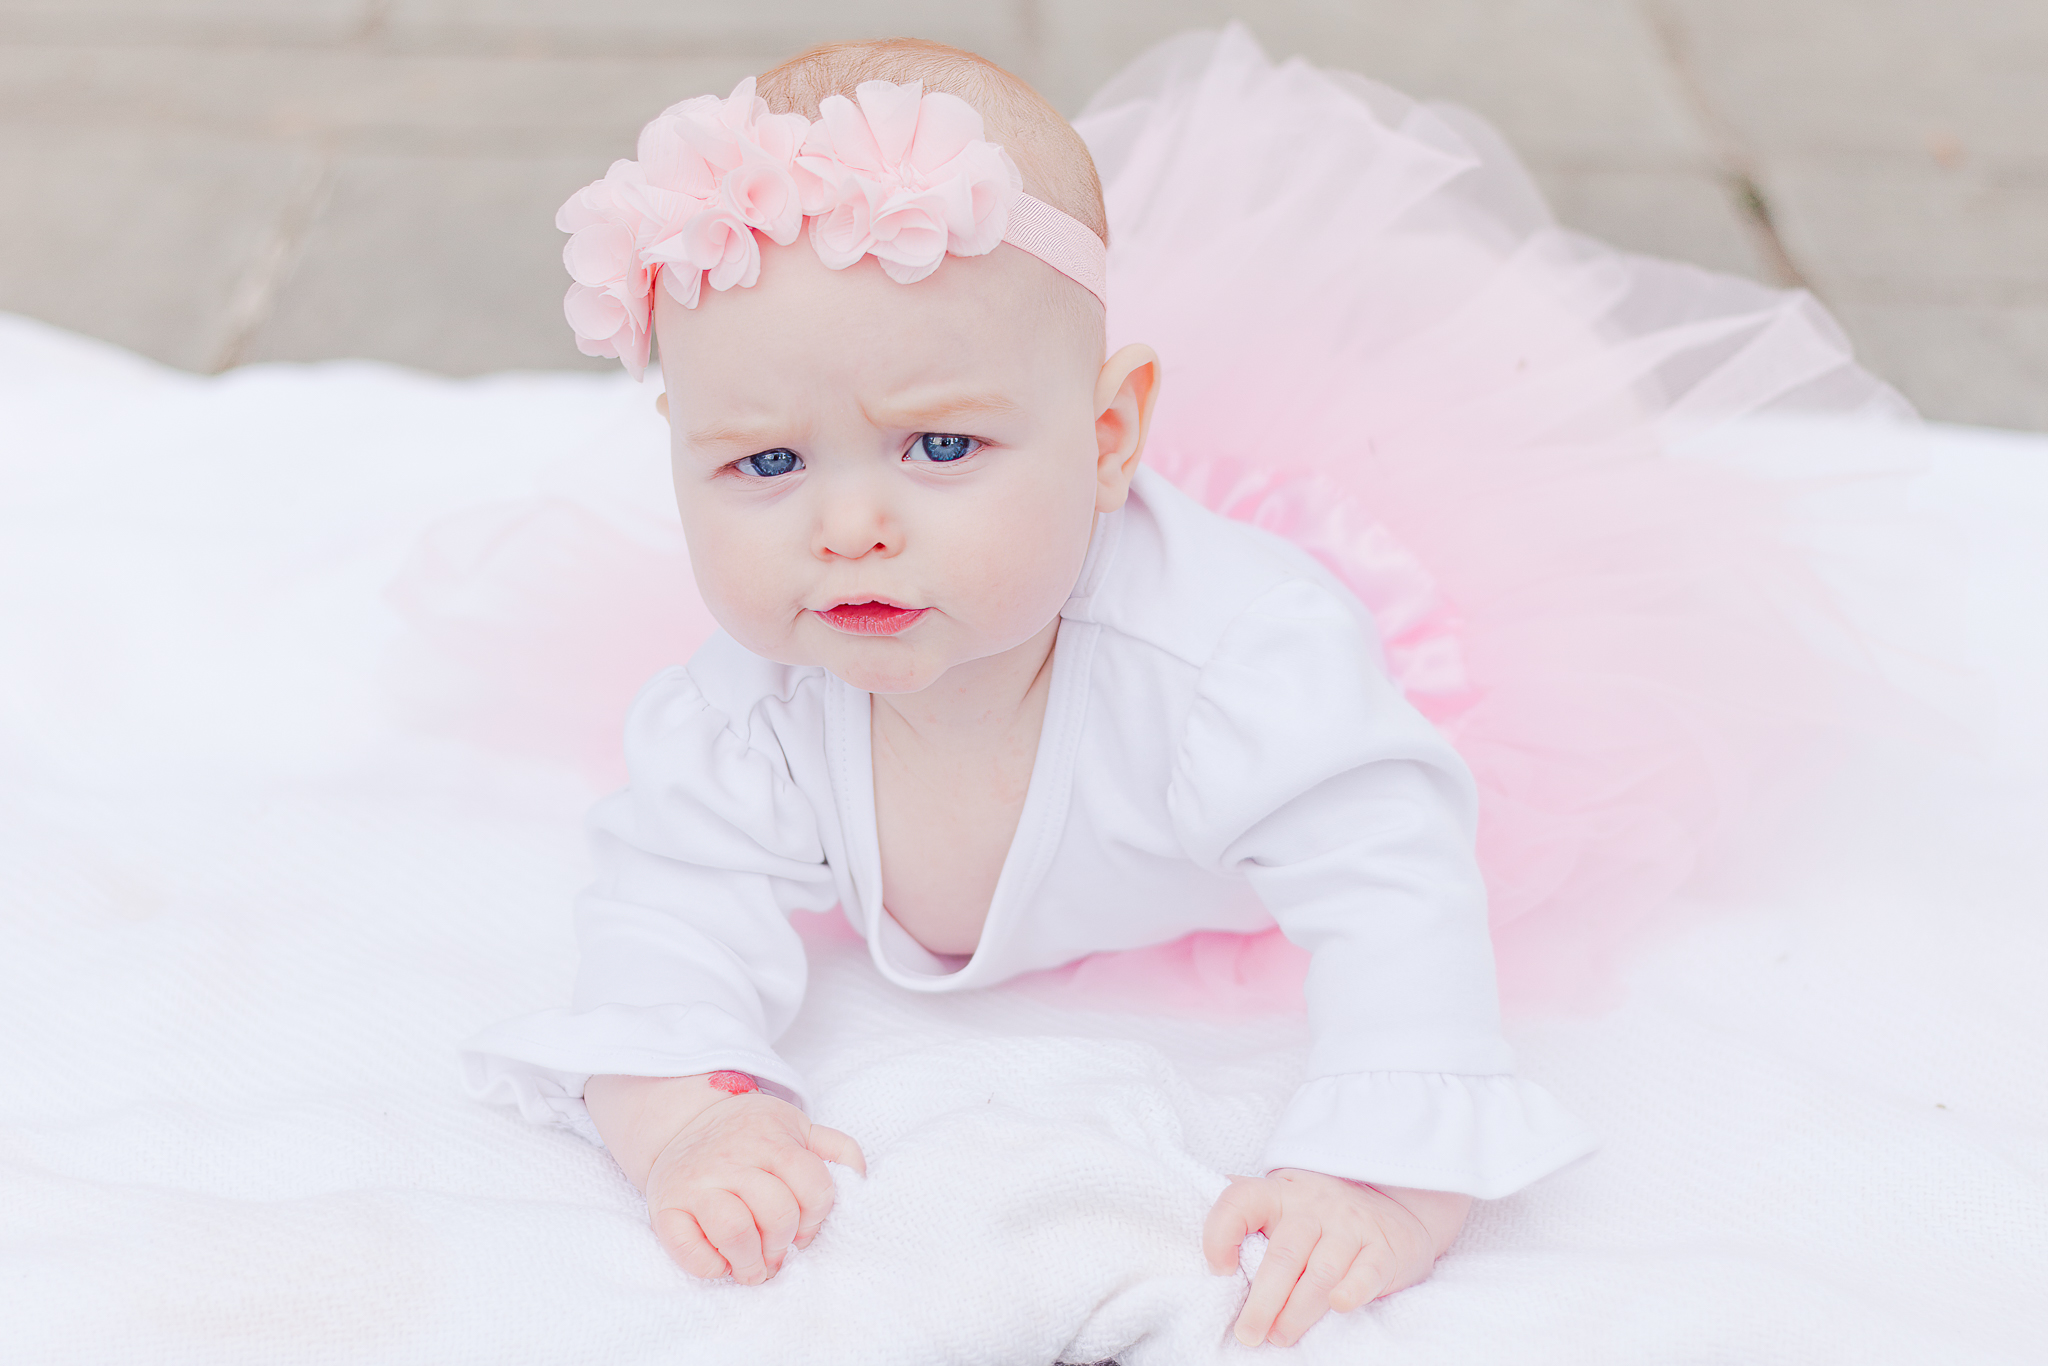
228 181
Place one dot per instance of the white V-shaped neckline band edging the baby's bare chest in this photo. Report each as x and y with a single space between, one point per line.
896 953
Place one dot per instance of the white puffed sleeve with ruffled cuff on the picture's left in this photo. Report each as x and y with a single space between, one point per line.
689 959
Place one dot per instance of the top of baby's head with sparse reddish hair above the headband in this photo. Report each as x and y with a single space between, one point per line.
1048 151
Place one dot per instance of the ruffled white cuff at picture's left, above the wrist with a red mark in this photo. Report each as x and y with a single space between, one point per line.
540 1064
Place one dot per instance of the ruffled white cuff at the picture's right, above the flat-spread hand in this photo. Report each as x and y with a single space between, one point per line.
1428 1132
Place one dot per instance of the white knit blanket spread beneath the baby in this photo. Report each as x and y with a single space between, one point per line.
249 919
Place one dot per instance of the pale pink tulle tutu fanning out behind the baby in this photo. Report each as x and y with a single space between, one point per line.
1379 345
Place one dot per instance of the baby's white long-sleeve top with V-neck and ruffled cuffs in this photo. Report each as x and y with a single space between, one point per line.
1222 751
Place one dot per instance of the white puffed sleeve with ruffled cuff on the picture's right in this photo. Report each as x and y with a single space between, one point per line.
1306 771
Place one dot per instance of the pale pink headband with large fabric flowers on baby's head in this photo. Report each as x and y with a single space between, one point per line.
906 179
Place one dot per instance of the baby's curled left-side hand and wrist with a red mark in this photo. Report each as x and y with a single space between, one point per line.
732 1181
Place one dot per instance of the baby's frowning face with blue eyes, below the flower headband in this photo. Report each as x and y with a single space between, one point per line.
886 480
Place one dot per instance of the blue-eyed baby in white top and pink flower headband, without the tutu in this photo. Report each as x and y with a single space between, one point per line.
990 687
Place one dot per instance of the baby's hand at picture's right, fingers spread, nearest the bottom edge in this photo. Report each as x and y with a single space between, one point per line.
1332 1244
